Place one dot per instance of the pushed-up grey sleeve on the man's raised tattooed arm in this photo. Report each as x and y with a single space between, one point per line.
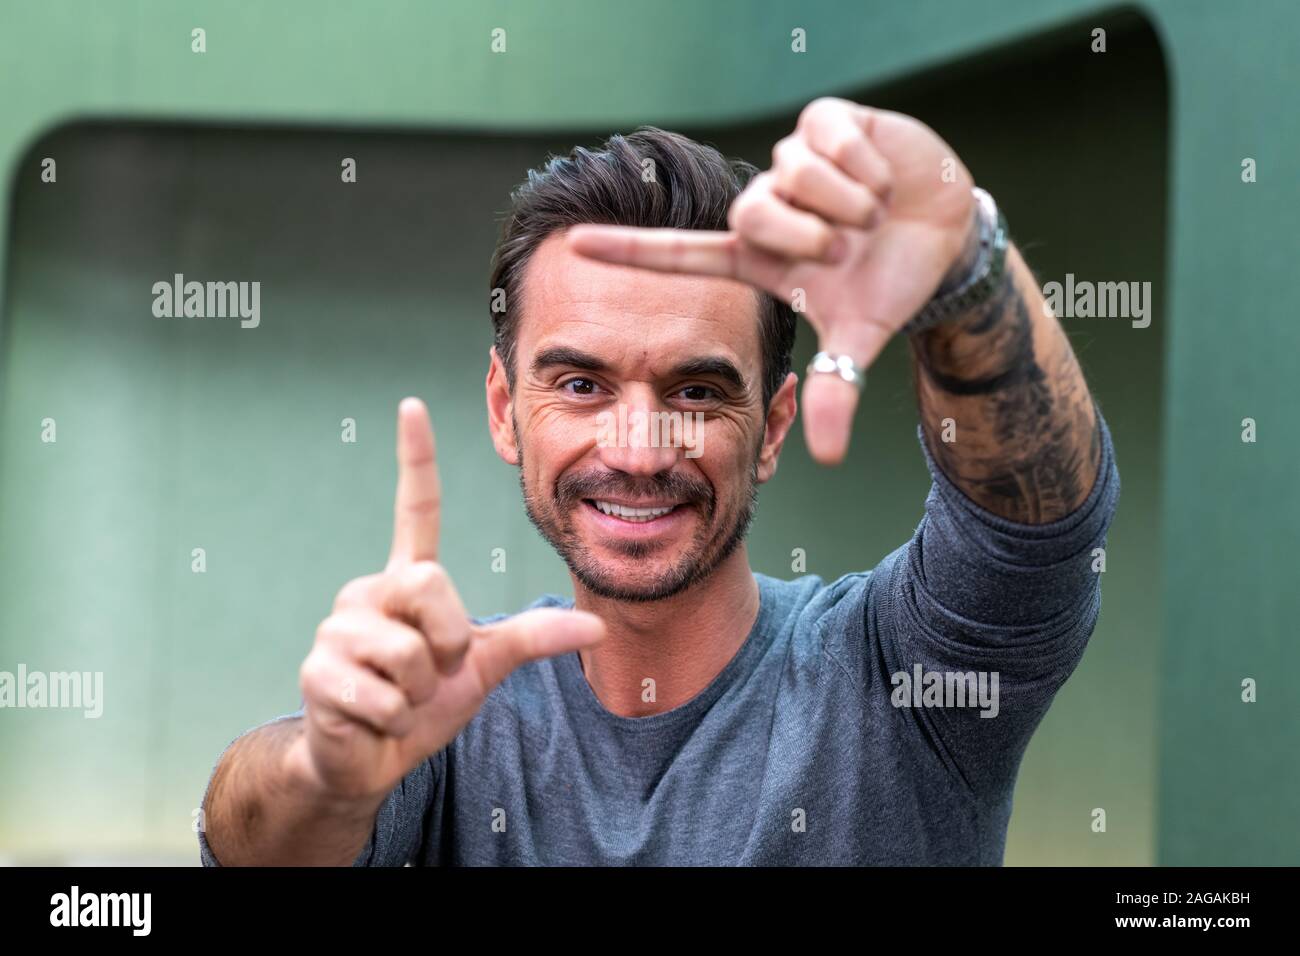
978 596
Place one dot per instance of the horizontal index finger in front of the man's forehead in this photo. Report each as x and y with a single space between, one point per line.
697 252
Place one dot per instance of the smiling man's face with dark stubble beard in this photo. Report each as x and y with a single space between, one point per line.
636 419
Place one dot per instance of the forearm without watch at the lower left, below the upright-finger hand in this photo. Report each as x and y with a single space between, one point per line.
265 811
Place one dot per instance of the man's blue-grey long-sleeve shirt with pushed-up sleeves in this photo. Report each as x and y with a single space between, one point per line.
808 747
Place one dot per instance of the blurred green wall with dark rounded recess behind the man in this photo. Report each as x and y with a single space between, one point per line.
176 435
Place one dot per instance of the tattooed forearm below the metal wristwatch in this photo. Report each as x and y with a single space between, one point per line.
1004 405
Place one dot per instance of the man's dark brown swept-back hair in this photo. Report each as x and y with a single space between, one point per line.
692 188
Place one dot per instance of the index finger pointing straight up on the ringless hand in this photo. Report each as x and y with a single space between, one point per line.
419 501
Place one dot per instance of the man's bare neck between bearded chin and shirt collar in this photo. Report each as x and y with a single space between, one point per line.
682 643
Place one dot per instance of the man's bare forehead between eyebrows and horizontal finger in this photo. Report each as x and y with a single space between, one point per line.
626 313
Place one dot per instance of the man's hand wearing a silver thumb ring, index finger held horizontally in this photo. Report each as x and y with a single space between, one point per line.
865 211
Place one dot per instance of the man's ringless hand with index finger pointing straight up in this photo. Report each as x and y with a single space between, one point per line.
398 668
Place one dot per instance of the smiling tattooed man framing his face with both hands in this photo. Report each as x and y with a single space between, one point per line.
684 710
